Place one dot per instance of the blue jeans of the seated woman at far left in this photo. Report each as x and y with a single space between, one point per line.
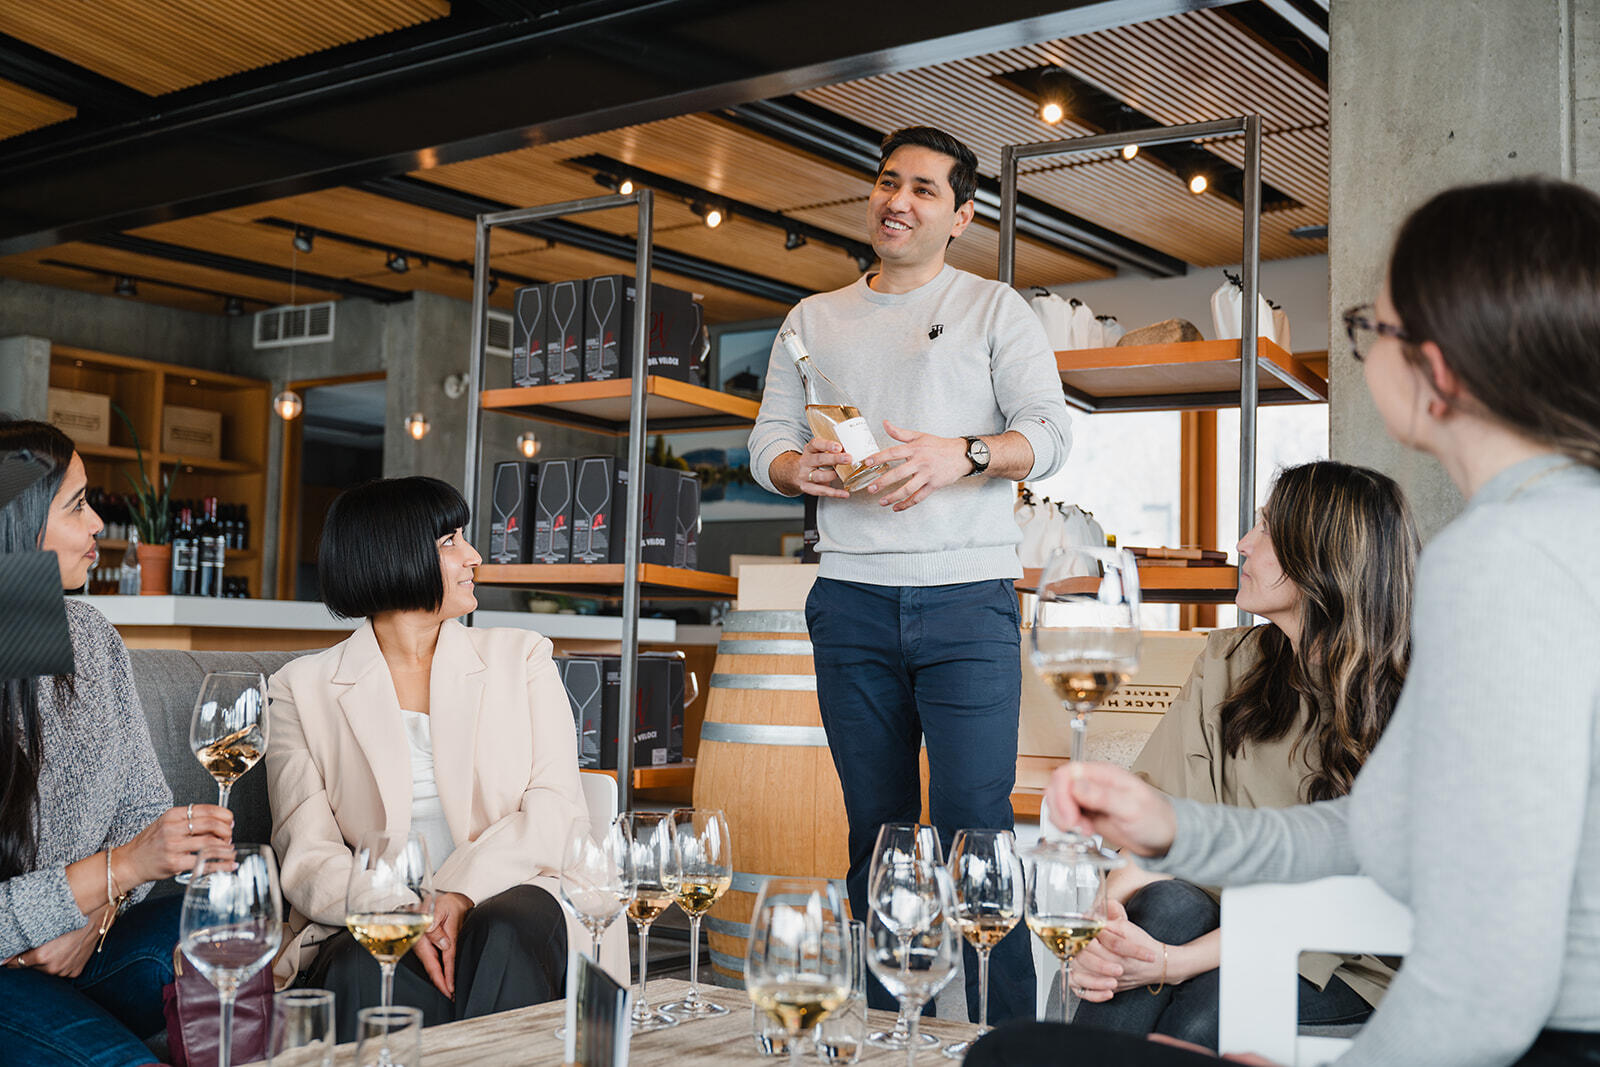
98 1018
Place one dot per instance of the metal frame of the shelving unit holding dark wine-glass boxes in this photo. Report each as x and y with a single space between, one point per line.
644 201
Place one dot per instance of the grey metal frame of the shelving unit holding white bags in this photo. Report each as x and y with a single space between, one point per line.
1250 263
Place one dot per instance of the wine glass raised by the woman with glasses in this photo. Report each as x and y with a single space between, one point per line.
1086 634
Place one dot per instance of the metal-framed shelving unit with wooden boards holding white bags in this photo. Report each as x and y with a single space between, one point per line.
1180 377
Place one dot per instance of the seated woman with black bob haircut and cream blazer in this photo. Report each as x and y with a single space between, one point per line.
422 724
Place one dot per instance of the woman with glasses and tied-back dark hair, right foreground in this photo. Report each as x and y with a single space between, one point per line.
1481 807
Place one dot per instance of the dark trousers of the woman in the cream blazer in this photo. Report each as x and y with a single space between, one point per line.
511 953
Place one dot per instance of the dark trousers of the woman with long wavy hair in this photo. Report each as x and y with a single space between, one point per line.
1177 913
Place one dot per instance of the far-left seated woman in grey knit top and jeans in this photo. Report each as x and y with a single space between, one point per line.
86 815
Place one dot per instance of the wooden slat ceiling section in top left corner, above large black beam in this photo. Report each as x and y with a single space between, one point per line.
175 44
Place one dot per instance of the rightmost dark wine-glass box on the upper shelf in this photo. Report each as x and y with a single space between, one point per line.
674 343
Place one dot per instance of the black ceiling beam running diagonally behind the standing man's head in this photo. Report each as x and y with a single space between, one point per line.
833 137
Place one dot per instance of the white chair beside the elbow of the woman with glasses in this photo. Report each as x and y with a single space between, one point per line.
1265 930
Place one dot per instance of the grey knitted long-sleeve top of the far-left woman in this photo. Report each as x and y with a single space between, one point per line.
100 783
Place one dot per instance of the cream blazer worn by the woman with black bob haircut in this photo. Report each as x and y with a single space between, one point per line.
505 757
